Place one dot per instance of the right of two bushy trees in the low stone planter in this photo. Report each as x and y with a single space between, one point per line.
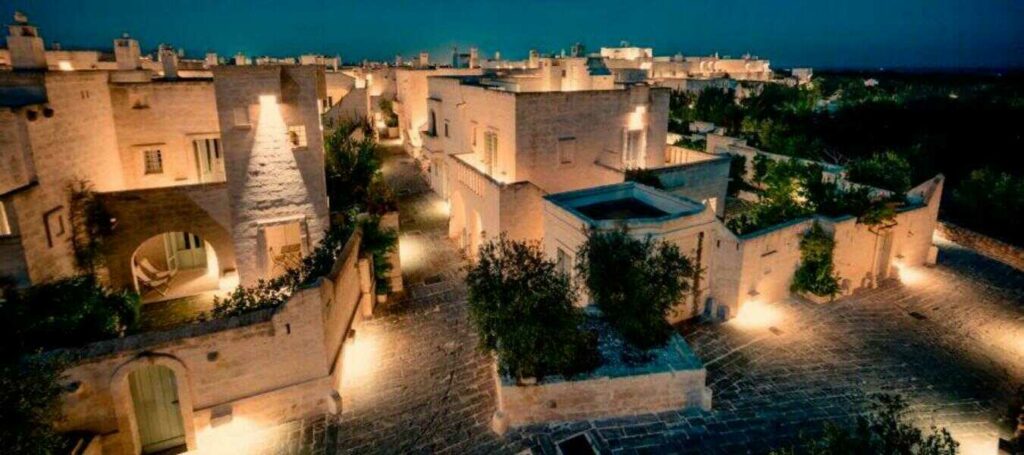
634 283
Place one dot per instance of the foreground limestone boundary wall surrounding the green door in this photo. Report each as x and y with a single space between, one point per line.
262 369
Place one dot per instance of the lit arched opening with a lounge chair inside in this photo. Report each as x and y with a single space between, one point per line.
175 265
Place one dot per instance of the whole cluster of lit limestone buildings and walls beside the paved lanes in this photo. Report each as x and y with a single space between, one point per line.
214 176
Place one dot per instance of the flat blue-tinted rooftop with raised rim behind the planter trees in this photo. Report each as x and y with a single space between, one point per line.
630 202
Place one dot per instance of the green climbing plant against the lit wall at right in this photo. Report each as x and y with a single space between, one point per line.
817 274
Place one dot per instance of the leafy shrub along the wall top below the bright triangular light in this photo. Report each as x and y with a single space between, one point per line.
275 293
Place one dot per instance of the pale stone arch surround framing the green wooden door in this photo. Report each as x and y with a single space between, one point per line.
124 408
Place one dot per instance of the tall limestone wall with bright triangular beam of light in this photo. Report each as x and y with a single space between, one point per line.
270 180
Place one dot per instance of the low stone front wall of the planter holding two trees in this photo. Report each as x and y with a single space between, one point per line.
606 397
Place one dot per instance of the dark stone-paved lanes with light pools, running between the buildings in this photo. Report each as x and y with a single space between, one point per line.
951 340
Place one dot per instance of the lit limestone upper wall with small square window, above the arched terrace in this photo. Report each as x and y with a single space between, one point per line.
166 116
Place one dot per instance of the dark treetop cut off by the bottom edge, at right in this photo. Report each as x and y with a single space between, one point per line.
884 431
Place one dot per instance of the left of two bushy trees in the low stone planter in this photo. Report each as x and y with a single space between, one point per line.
524 310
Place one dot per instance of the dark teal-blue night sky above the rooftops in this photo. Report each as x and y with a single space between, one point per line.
819 33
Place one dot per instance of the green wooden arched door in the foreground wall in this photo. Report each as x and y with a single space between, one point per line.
155 396
